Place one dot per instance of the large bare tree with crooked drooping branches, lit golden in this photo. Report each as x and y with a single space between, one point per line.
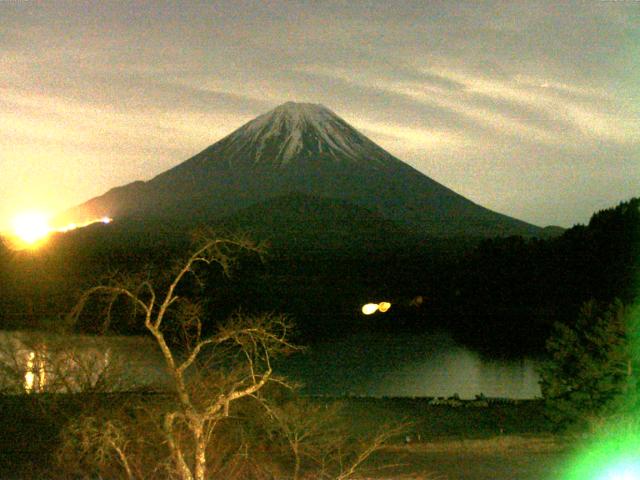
213 368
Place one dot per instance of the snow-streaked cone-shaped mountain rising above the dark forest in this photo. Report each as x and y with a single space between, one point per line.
304 157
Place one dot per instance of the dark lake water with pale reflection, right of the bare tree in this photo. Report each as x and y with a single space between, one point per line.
410 365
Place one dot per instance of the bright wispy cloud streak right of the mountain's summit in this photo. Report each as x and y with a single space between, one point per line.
541 111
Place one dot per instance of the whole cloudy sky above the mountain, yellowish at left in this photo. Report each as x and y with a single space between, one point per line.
528 108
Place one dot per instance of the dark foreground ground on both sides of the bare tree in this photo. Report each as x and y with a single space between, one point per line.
456 440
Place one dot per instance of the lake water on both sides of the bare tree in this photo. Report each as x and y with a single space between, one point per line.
367 364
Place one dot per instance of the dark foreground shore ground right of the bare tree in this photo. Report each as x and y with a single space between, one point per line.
462 440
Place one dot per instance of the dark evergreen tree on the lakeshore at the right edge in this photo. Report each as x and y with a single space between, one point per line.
592 371
